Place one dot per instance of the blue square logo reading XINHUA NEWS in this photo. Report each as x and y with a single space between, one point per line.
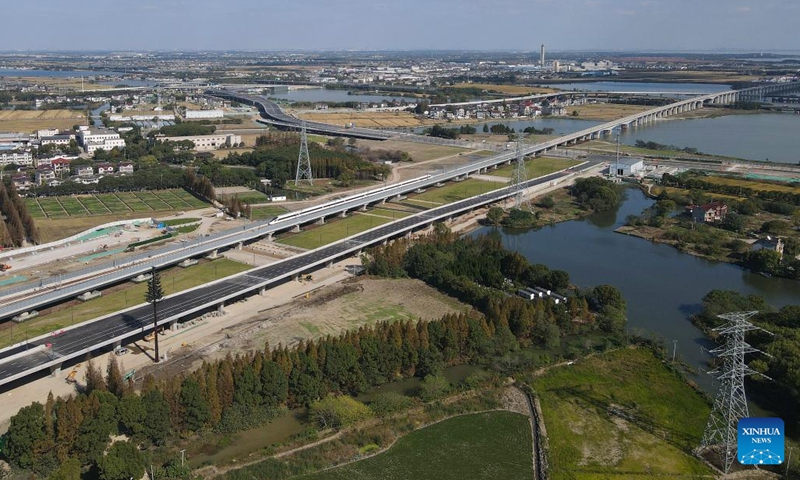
760 441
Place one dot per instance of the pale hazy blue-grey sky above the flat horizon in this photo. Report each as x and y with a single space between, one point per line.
758 25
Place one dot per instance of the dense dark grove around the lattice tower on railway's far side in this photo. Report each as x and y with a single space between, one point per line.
276 159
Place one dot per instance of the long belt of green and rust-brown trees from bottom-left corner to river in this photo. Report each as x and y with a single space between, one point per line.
248 390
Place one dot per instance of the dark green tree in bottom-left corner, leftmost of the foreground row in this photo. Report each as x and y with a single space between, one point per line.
27 428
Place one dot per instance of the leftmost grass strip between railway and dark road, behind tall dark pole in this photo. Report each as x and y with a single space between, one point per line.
118 298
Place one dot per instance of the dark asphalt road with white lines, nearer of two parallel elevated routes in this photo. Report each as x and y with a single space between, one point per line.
75 342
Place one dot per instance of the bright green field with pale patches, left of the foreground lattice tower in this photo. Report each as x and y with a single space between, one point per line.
619 415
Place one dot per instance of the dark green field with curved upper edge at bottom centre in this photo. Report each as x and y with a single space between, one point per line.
495 445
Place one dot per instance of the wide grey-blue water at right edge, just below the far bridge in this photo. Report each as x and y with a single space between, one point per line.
762 136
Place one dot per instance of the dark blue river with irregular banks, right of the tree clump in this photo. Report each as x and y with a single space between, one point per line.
662 286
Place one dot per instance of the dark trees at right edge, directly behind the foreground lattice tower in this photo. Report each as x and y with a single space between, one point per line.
783 363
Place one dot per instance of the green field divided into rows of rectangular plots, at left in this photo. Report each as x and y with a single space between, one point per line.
78 206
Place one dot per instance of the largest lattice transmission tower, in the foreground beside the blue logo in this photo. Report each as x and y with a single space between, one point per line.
730 403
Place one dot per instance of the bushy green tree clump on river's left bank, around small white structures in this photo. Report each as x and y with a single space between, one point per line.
484 274
